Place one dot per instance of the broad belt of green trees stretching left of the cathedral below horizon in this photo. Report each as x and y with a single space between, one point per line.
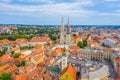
29 32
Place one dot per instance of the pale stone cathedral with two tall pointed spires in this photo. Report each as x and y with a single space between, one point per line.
65 33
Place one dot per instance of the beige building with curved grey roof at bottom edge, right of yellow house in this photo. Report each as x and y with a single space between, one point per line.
98 72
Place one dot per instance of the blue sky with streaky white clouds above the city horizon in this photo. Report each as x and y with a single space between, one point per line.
50 11
